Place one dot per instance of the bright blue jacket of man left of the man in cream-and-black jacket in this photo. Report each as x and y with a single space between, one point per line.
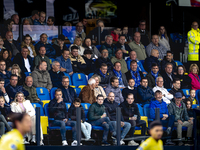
65 64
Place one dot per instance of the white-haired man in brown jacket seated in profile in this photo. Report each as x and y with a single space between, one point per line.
87 93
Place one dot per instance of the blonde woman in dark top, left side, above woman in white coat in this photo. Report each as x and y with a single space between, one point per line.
17 71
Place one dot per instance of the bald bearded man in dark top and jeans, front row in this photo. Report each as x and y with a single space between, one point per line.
111 106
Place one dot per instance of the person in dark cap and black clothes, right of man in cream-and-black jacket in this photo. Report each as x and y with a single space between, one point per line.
89 62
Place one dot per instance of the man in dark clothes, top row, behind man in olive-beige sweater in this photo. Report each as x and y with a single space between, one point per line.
144 33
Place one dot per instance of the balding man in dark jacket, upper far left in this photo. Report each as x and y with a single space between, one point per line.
11 44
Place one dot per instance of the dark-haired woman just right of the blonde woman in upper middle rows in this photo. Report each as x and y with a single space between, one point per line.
87 45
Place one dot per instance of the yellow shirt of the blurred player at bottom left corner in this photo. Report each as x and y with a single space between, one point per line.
12 140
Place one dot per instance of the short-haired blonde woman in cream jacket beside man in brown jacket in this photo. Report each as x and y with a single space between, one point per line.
98 90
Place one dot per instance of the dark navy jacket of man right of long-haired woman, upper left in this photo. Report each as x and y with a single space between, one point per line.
50 51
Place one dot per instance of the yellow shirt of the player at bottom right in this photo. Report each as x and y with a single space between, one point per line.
151 144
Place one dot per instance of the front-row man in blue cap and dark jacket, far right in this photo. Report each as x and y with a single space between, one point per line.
179 110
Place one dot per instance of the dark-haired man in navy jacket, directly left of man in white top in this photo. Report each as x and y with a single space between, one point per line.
145 94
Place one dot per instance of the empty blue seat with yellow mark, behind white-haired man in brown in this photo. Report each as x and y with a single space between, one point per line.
79 79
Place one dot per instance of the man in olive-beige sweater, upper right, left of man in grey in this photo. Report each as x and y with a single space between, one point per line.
138 47
